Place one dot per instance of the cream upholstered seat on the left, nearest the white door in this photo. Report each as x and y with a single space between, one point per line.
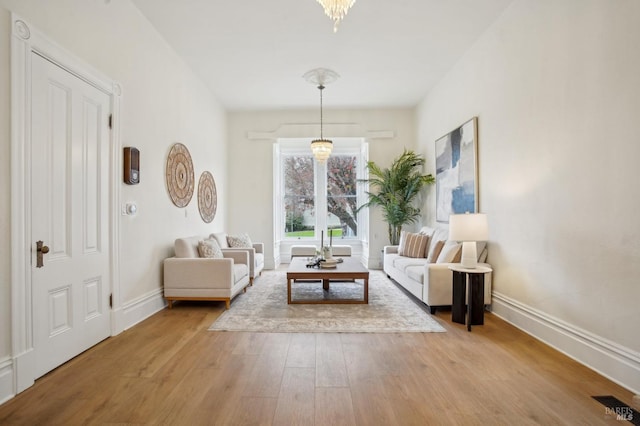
187 276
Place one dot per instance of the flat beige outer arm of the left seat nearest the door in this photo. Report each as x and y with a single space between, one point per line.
197 272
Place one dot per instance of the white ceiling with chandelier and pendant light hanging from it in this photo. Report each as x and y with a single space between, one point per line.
253 53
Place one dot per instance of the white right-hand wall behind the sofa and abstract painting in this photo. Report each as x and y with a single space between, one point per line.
555 87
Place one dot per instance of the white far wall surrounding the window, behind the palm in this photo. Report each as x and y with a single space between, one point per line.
250 206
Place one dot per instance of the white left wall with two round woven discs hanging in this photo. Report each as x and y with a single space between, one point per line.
162 103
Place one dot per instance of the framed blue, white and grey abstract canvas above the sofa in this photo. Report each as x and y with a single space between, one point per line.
457 171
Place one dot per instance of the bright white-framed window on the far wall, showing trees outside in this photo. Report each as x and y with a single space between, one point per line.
319 197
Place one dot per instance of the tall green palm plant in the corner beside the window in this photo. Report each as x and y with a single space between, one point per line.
395 189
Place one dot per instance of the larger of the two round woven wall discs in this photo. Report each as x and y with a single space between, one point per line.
180 179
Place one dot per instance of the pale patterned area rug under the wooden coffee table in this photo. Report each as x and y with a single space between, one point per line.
264 308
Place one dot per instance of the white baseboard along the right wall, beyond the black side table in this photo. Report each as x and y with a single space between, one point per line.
617 363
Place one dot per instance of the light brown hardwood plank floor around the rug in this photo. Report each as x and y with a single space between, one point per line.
170 370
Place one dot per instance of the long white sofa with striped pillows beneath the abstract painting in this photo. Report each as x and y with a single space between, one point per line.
430 280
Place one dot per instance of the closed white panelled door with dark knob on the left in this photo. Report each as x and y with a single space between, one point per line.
70 214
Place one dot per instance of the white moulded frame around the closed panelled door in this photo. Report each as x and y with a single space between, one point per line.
25 41
